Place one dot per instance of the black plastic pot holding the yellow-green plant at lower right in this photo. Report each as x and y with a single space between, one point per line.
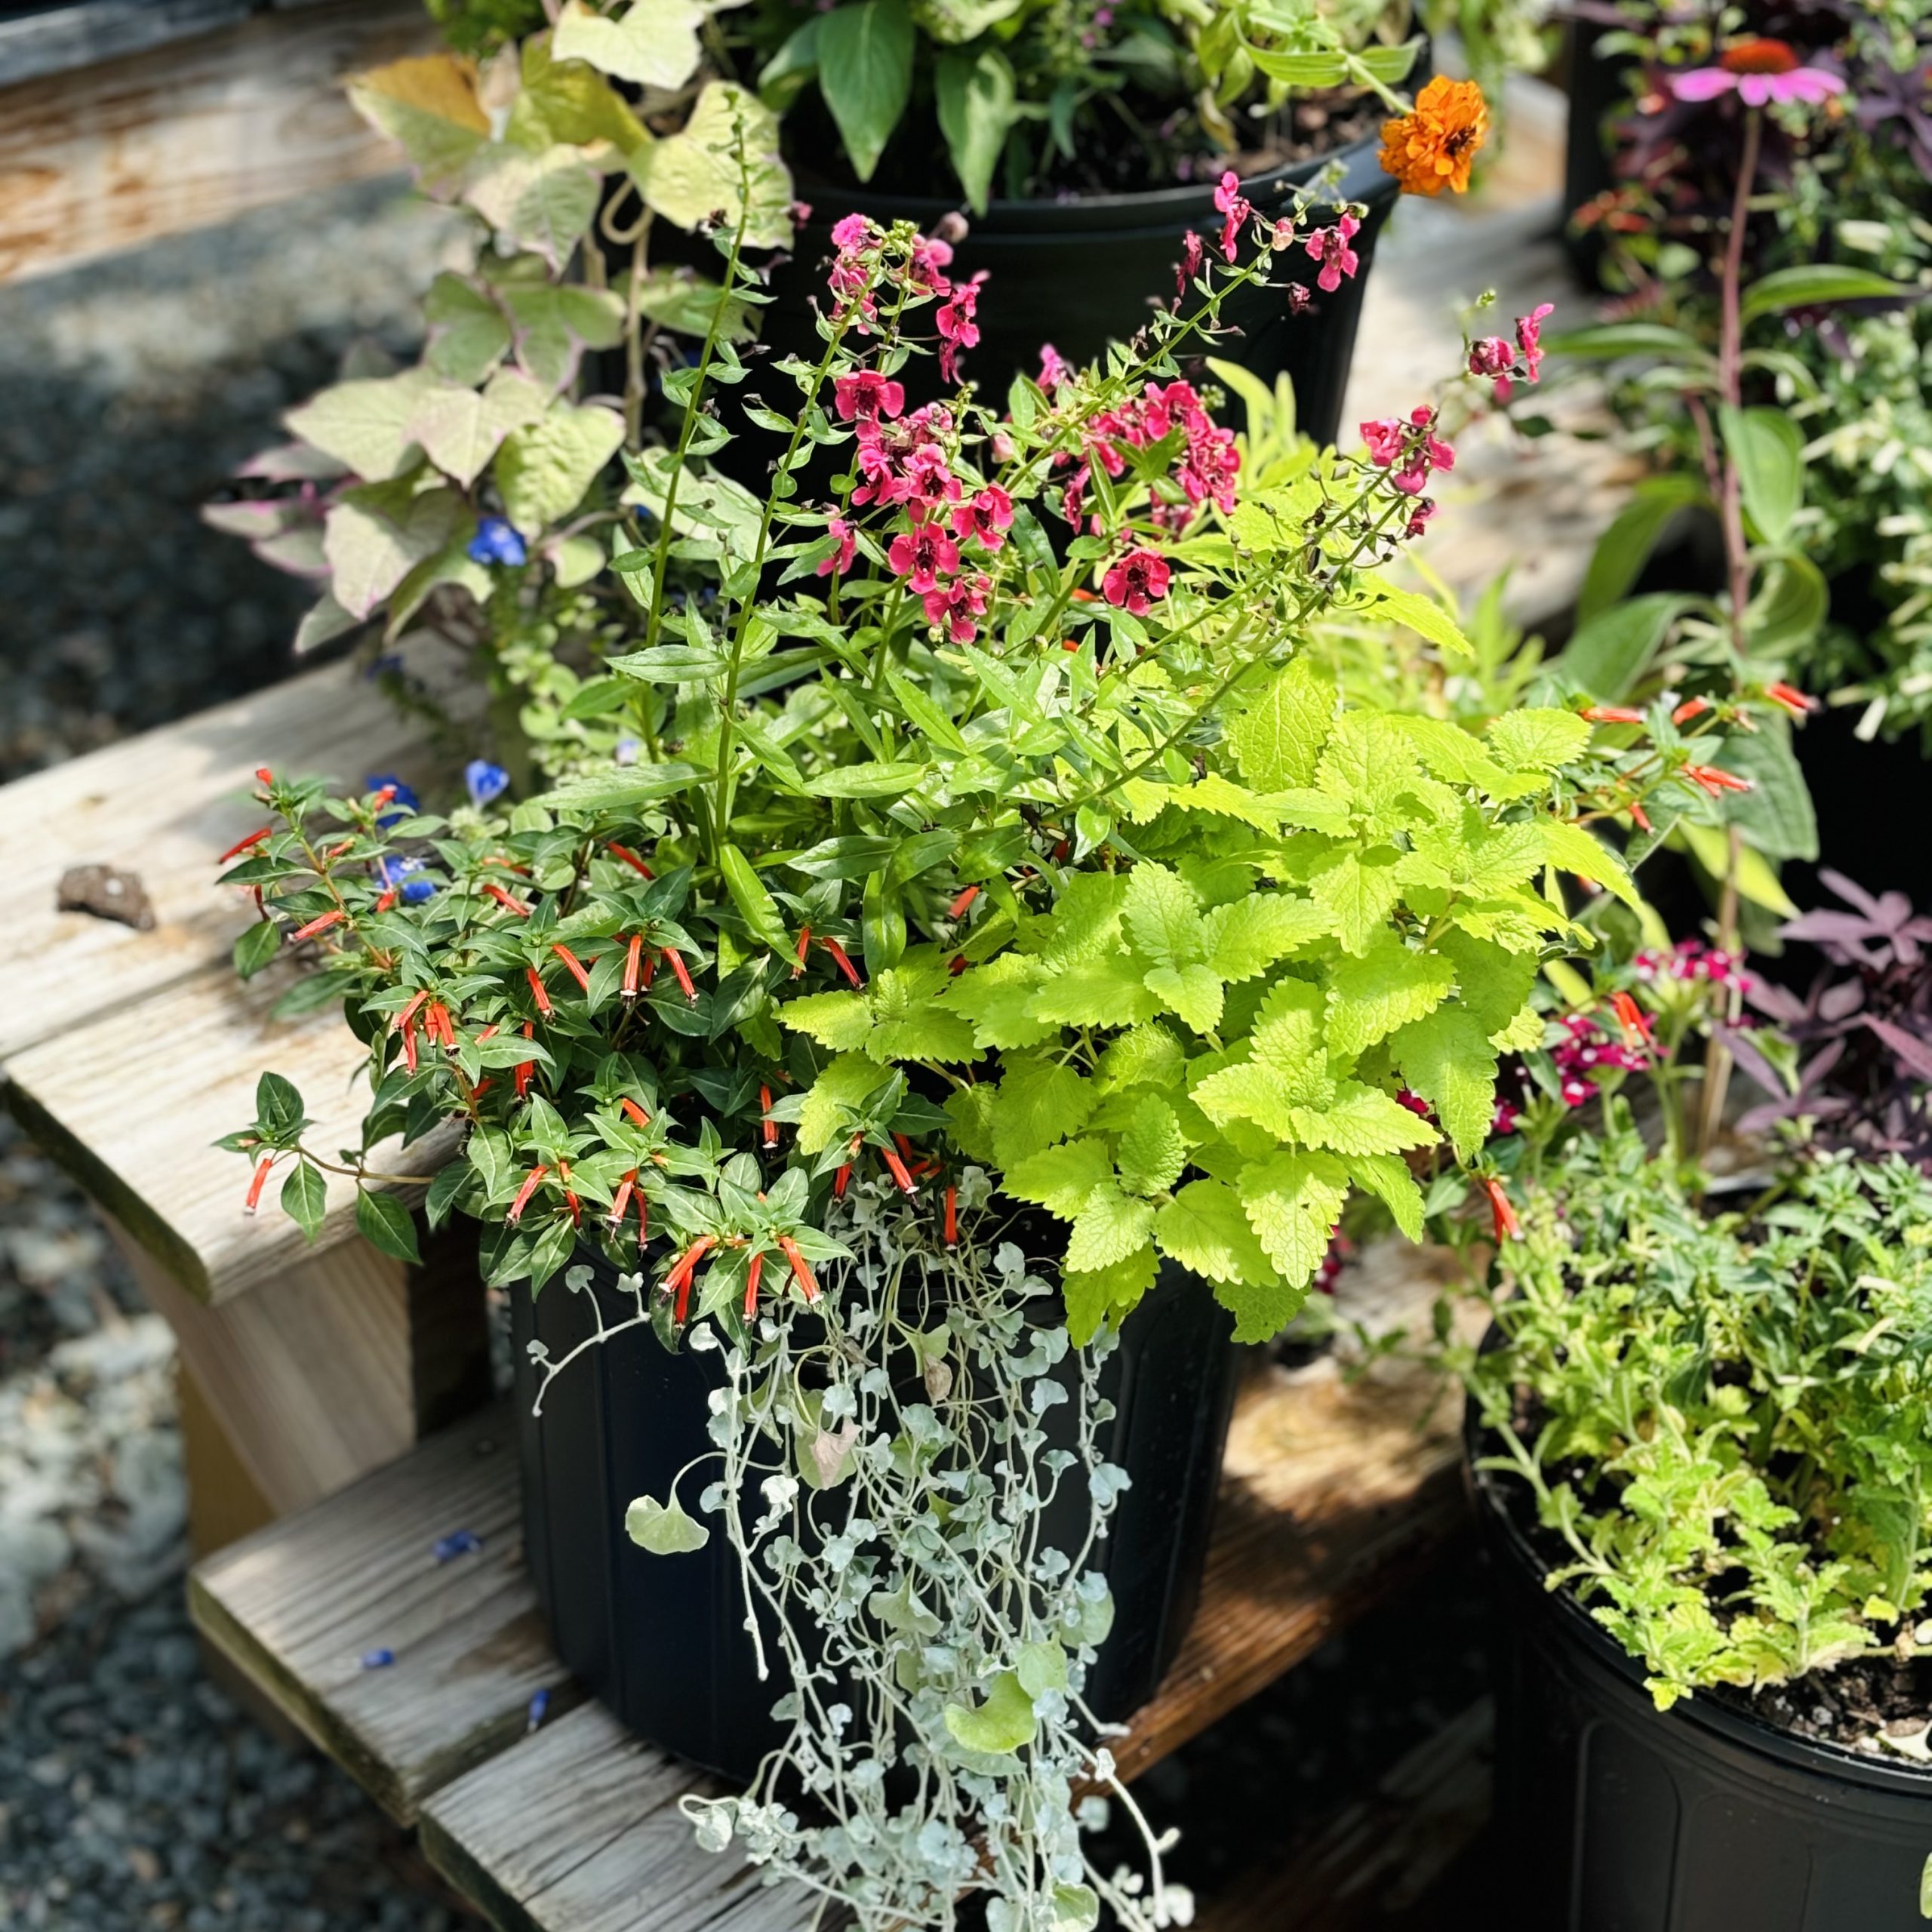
1626 1819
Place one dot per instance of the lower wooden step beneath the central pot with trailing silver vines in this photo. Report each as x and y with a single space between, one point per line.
1334 1494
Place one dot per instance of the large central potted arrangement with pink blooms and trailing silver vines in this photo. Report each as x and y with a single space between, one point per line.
969 843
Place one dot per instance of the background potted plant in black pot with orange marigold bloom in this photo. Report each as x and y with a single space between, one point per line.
1087 142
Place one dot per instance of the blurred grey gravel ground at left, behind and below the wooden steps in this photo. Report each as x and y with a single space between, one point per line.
132 1792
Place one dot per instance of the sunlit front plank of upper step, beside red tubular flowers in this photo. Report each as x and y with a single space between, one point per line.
132 1108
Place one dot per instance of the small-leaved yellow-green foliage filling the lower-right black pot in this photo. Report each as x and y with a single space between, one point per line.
1722 1419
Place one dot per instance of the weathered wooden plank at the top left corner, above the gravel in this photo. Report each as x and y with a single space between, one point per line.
192 132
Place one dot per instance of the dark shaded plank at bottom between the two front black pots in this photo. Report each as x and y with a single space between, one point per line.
1377 1860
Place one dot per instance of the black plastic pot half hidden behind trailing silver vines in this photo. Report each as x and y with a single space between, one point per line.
664 1643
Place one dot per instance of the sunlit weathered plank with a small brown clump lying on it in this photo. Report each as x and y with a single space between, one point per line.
165 807
